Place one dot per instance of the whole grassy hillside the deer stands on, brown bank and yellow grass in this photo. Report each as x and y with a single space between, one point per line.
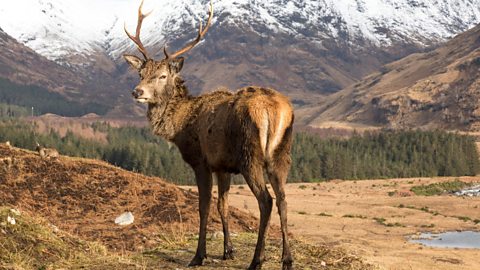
64 211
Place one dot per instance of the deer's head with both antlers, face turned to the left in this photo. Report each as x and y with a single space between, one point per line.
159 78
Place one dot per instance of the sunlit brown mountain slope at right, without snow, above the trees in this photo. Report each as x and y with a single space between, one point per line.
438 89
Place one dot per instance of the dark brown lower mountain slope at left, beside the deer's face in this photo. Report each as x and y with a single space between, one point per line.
25 73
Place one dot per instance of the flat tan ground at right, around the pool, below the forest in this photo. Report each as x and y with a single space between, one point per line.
342 214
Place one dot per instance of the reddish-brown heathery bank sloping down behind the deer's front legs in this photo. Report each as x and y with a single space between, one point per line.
83 197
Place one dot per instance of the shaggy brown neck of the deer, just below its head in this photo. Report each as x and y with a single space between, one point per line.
170 118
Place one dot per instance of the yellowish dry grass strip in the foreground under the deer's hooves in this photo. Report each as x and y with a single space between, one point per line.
33 243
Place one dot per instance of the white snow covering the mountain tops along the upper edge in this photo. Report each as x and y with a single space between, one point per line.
57 28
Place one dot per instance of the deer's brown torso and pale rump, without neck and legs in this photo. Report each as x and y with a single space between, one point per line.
237 129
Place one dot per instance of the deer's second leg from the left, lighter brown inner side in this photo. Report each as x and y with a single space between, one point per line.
223 180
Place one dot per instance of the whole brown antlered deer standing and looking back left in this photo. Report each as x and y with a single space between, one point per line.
247 132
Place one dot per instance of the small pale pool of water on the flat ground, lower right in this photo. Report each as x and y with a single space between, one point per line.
466 239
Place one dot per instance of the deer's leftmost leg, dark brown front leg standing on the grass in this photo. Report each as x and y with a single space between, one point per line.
204 182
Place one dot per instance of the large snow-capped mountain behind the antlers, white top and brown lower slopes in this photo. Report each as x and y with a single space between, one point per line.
305 48
